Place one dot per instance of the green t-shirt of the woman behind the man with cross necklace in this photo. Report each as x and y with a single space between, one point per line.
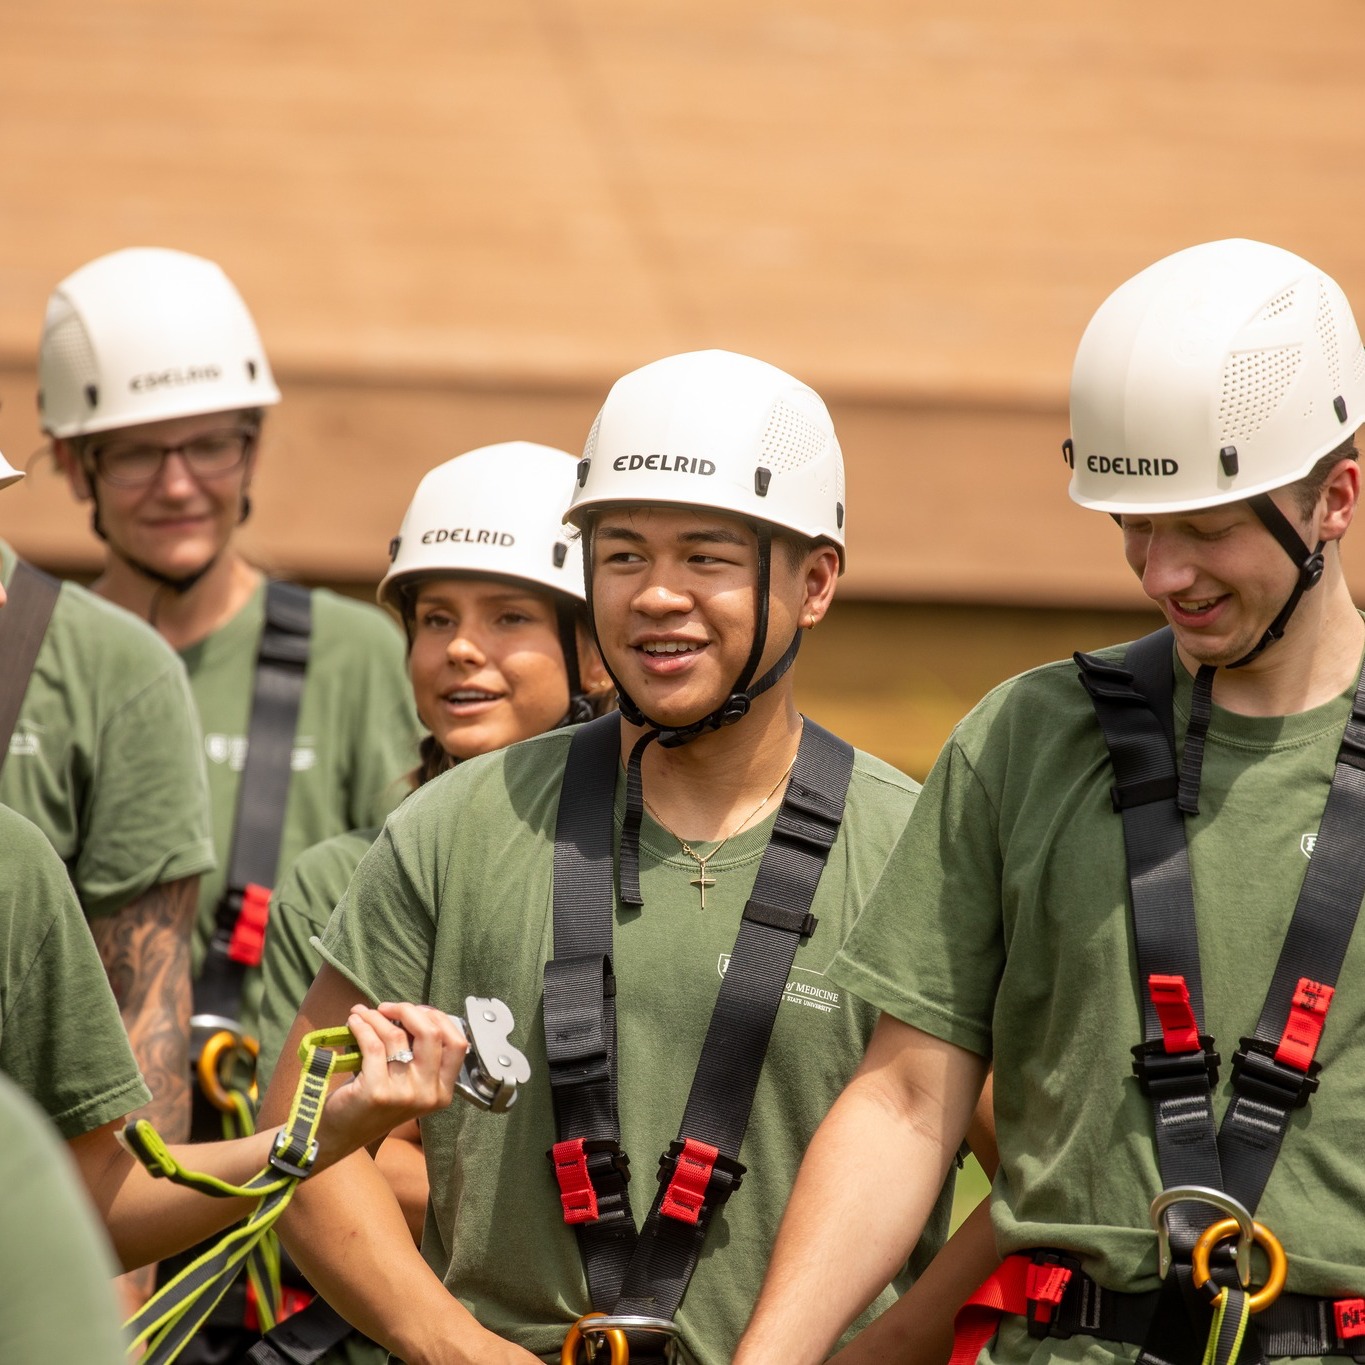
300 910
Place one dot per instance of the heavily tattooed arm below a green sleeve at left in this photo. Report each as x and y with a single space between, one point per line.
145 949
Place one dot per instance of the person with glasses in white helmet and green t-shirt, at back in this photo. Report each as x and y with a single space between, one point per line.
154 388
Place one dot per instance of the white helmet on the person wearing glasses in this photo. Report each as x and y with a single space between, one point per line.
145 335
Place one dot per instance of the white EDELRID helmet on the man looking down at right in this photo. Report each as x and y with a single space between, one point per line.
1216 375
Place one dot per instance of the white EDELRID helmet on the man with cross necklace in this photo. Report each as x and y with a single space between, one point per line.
717 431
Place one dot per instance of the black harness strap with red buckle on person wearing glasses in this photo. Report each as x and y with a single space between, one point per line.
259 827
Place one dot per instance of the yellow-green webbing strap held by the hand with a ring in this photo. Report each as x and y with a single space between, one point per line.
169 1321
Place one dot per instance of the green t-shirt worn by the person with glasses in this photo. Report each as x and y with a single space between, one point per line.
354 746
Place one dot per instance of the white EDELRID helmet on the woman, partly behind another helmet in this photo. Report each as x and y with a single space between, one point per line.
493 513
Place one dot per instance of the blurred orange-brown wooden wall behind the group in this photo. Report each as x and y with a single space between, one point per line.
461 222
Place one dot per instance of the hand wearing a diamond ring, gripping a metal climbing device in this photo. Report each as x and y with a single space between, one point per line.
384 1093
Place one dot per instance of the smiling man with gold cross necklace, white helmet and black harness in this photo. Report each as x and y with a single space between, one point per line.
672 881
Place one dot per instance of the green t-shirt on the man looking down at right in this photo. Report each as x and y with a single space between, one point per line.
1003 925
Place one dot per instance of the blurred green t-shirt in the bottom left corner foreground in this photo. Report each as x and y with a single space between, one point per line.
57 1288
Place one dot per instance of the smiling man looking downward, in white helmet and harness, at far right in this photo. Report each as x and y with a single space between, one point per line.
1146 944
